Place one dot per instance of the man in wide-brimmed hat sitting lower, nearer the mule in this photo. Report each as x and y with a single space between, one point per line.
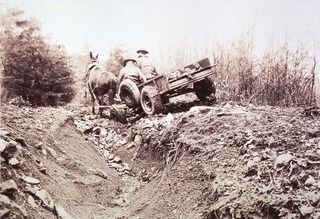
131 71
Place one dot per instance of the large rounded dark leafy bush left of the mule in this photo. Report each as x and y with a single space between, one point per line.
33 69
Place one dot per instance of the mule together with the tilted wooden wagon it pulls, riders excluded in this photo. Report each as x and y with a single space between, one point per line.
152 95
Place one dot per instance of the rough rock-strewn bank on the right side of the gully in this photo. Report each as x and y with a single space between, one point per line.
272 159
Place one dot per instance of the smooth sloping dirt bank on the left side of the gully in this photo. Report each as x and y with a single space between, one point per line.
58 156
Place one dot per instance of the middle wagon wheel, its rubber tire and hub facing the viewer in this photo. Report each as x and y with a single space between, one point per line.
150 100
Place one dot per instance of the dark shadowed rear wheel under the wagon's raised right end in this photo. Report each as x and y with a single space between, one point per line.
204 88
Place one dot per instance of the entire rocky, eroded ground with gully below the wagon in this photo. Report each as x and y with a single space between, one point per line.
222 161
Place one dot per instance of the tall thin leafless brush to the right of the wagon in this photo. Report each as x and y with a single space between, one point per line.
281 77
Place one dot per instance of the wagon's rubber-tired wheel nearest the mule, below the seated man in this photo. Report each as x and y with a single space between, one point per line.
129 93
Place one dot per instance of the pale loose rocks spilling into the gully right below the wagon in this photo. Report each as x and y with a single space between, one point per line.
108 136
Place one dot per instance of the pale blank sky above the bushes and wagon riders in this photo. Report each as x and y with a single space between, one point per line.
158 25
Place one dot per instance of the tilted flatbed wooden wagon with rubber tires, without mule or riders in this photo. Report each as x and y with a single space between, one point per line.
152 95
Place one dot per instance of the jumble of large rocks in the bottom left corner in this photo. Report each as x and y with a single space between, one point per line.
18 191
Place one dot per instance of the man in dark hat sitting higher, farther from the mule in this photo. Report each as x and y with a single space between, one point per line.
144 64
